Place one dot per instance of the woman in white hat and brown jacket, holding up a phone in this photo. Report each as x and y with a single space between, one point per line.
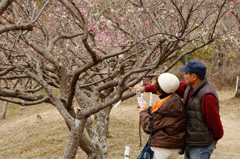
169 119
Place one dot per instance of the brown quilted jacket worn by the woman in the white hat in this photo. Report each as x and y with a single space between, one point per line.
169 123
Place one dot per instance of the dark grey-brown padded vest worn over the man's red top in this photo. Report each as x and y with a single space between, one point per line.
197 131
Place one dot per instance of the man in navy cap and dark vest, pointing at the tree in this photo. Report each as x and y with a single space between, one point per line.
204 127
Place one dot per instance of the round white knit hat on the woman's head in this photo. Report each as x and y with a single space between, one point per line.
168 82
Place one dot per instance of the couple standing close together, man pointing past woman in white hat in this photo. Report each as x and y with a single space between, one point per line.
192 124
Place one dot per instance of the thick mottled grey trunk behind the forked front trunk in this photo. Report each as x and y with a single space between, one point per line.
98 147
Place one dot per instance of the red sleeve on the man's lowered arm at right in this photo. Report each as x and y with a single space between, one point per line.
211 115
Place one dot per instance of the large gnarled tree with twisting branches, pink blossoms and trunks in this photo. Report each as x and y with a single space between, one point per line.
93 51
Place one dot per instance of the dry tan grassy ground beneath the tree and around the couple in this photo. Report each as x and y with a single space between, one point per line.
22 136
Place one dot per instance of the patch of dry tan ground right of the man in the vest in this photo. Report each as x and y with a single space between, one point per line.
229 146
